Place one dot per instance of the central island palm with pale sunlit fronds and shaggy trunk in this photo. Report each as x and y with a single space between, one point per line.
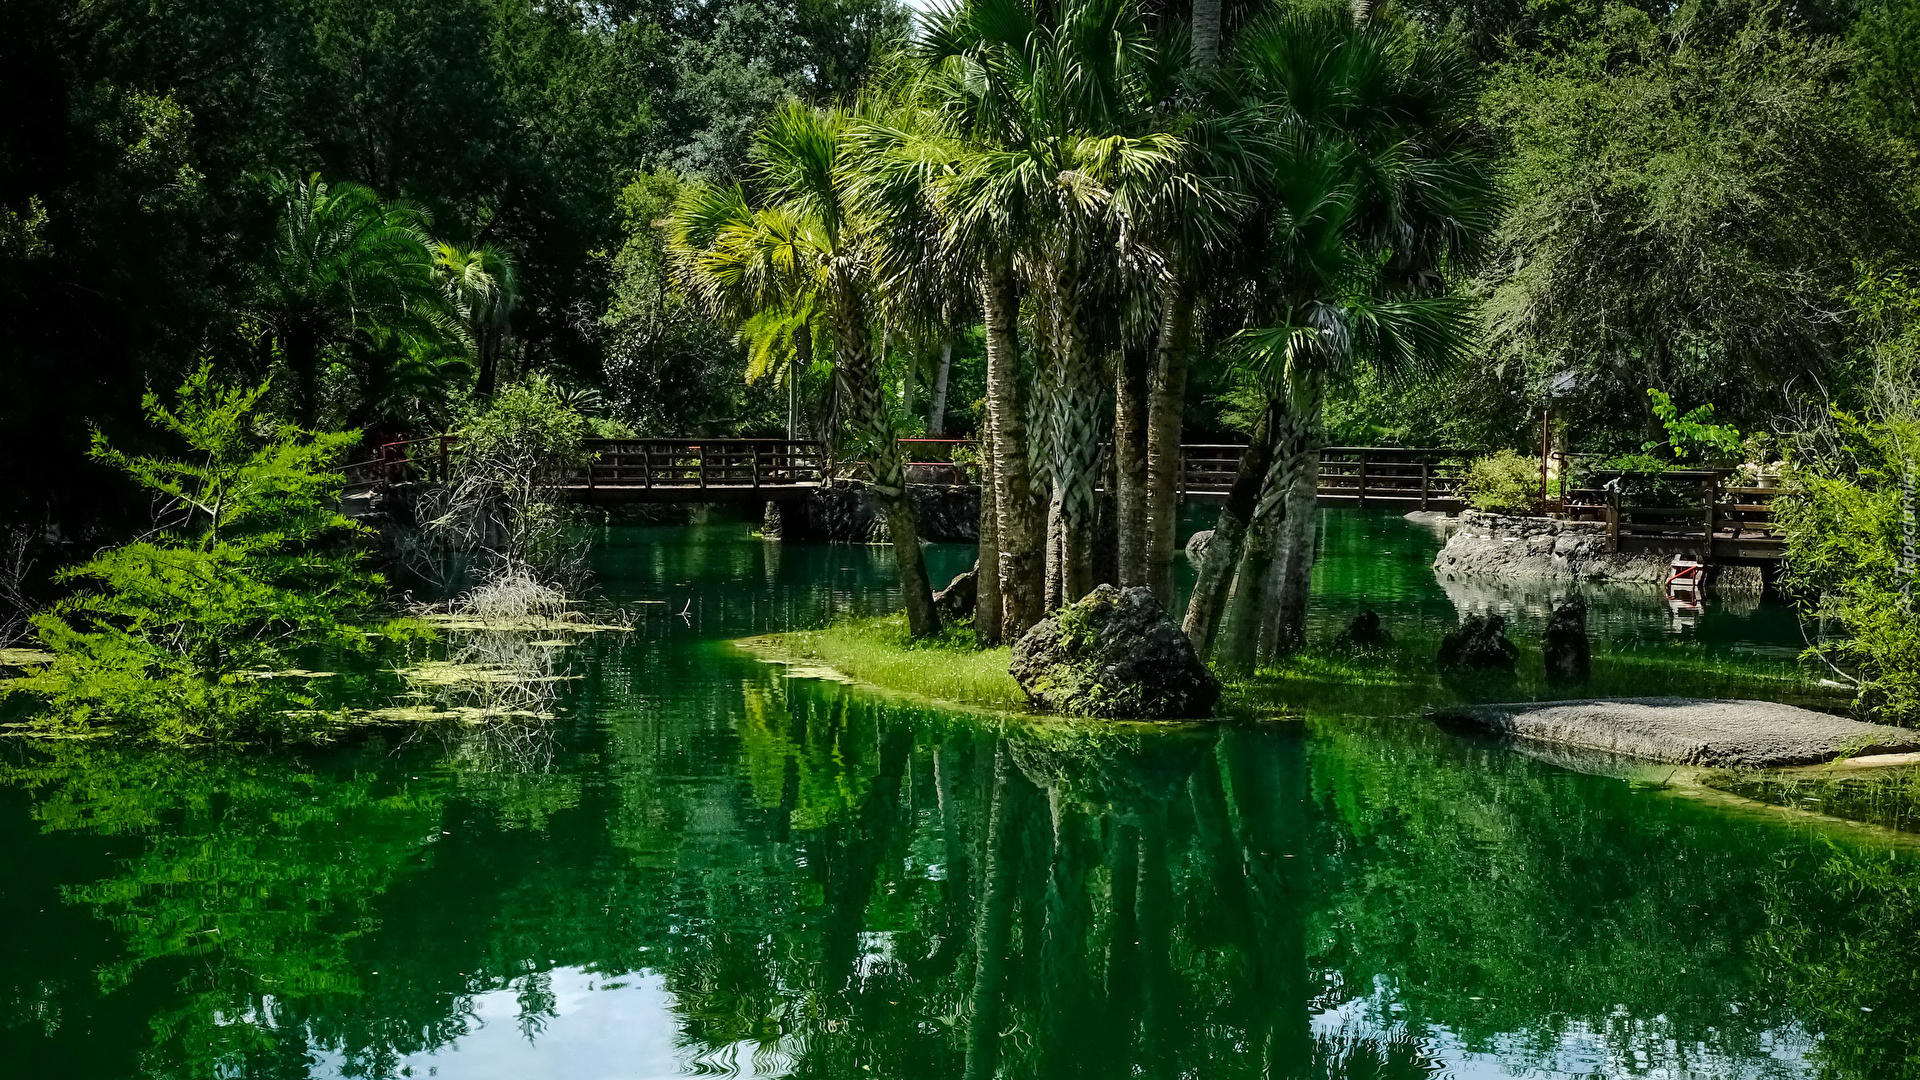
1053 109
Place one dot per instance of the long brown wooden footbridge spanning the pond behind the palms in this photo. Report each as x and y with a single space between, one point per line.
1717 522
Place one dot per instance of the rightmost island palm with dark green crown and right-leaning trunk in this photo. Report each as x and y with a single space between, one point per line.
1376 187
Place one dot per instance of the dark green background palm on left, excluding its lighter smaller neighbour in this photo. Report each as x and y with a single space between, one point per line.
343 264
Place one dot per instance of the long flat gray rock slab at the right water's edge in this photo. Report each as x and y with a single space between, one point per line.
1687 731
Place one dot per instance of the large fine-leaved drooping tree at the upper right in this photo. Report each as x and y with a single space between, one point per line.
1689 197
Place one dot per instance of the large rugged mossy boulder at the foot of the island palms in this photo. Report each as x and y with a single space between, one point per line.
1115 654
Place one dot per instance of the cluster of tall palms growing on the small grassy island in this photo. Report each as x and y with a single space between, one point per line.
1115 191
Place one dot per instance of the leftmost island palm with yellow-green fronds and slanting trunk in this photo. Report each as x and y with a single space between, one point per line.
809 239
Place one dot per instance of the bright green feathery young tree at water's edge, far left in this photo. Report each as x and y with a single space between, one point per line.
181 637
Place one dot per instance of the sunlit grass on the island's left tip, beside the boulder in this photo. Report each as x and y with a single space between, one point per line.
949 666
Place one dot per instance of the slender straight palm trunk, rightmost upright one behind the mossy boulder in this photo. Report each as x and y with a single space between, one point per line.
1164 420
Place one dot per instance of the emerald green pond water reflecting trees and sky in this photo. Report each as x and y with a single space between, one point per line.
711 870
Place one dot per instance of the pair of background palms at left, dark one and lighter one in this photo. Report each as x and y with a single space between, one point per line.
358 303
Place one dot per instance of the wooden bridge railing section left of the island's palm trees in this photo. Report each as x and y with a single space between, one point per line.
700 464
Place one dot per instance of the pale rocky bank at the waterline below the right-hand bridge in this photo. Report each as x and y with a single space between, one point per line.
1495 545
